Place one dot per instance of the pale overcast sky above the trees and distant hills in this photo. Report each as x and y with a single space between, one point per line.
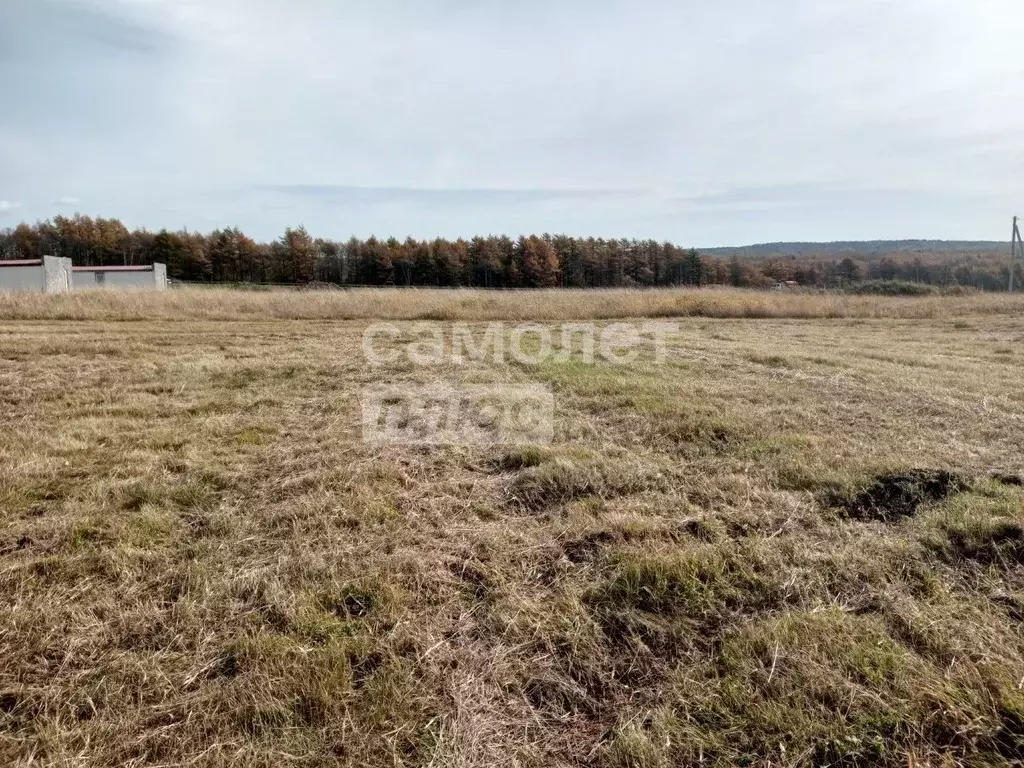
722 123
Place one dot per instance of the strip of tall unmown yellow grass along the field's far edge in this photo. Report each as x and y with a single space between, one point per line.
224 305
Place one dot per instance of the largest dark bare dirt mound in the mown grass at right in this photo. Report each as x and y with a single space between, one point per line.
893 497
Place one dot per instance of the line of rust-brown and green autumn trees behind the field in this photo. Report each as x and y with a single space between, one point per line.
229 255
